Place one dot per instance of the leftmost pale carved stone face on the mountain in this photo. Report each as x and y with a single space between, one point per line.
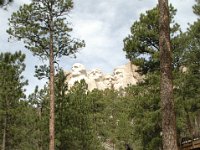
78 69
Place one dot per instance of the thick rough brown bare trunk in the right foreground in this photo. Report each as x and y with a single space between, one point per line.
166 85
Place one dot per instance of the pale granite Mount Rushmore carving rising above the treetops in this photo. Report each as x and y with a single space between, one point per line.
122 76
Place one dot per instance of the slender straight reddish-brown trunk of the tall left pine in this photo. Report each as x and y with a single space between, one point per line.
52 95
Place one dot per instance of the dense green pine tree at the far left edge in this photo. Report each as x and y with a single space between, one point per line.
11 93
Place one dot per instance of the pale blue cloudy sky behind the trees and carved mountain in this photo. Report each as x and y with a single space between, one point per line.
102 24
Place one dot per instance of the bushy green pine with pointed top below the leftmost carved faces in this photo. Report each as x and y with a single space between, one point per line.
78 128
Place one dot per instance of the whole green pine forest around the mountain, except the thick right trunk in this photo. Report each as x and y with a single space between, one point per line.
98 119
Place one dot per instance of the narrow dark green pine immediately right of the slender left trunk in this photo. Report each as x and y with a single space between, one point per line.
62 112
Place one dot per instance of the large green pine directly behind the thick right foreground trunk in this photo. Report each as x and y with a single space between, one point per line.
142 48
